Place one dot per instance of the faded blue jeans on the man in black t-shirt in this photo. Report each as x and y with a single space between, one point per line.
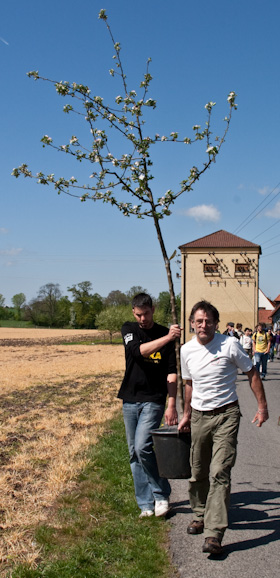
139 419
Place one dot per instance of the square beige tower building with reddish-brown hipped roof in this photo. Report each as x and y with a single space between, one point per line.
223 269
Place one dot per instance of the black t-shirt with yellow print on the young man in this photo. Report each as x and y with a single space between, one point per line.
145 378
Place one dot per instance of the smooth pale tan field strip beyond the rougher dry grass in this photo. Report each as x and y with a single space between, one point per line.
33 356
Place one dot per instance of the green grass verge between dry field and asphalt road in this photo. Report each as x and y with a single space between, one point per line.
95 531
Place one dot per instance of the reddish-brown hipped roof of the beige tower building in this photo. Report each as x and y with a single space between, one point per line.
220 239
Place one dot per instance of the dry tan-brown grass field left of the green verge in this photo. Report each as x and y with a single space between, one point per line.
54 402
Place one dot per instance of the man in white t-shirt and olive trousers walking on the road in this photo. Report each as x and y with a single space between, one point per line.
210 363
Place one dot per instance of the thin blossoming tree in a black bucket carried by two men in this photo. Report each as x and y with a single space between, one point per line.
124 179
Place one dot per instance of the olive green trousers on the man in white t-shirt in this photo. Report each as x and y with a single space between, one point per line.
213 454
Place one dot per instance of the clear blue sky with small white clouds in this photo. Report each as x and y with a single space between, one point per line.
200 52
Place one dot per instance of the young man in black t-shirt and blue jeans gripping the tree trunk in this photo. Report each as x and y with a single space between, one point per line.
149 376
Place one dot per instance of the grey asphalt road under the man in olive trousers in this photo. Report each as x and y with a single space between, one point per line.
252 541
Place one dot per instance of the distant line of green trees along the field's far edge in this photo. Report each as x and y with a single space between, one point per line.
84 310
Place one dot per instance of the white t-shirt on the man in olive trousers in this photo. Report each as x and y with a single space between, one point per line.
213 370
